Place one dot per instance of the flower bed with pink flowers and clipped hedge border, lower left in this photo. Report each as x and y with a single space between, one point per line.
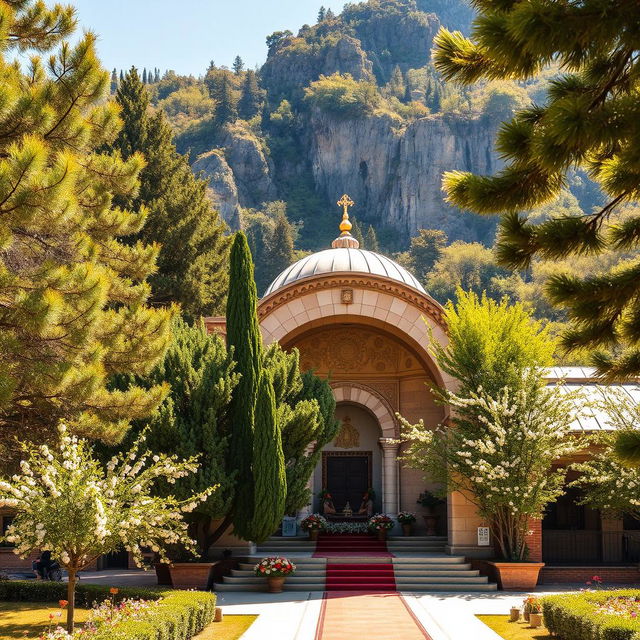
176 615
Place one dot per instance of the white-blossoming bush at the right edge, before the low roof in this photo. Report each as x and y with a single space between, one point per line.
610 479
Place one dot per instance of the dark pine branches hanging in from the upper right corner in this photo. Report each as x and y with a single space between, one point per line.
591 120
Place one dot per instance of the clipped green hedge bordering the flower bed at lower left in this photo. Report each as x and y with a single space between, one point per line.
180 616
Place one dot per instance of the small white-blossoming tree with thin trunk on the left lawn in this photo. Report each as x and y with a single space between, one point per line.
68 504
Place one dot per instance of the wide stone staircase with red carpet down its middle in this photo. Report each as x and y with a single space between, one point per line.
420 564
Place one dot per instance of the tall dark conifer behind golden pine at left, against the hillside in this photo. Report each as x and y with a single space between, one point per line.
192 264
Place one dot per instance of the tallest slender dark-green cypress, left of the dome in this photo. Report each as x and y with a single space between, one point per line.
243 336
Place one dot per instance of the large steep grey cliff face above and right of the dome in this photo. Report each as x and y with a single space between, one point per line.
393 170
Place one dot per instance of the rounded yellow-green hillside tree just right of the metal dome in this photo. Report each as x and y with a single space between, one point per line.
469 266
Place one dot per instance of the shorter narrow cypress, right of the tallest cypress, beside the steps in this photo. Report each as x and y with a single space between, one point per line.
270 488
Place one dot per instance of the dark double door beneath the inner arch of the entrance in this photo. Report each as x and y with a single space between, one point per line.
347 477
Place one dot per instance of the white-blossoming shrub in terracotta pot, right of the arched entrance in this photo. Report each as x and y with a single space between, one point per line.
499 452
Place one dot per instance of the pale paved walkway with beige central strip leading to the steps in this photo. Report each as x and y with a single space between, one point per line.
295 615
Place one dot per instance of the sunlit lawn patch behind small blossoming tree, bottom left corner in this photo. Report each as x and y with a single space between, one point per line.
20 619
